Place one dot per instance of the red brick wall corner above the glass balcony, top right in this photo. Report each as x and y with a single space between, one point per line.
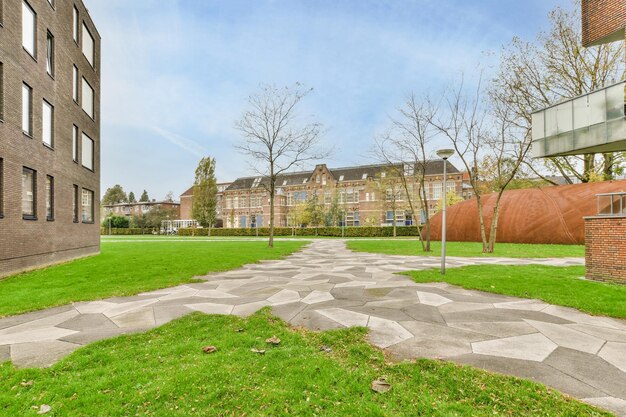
601 18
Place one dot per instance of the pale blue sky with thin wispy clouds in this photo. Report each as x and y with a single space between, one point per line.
176 73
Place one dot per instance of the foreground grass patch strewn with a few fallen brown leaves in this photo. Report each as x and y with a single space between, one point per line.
165 373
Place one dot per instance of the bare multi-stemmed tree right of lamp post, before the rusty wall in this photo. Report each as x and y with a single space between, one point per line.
479 130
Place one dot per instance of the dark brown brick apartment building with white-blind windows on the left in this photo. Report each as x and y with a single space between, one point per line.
49 133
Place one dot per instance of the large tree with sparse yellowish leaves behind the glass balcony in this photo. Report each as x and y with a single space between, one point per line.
555 67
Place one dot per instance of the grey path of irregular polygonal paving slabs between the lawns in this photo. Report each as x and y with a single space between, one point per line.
326 286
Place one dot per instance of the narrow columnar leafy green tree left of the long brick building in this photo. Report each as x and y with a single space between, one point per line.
204 203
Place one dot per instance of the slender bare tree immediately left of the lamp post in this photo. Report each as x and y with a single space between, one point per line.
404 150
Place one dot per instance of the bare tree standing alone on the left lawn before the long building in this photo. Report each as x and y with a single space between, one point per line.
274 138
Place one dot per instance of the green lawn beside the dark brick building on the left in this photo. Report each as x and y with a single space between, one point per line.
127 268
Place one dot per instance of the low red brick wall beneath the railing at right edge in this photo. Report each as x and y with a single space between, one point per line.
605 244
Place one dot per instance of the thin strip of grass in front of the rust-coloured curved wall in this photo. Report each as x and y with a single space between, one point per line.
512 250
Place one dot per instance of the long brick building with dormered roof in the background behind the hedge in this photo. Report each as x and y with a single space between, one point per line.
365 195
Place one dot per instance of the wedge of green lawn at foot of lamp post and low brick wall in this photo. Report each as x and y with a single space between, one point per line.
553 284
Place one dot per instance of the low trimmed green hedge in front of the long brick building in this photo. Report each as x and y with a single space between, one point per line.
359 231
